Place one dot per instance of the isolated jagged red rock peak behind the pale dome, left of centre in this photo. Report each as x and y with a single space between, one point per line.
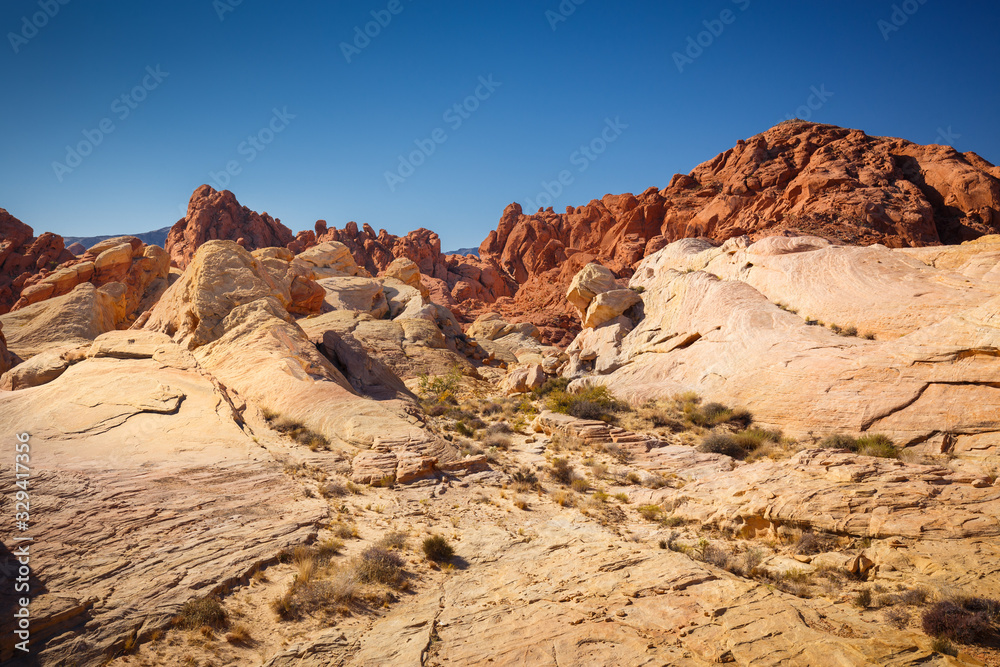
216 215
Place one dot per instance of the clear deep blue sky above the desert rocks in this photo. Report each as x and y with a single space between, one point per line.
225 77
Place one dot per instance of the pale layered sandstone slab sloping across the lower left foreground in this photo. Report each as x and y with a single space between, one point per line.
148 494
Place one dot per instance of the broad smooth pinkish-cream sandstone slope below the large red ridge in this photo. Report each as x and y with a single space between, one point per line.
928 379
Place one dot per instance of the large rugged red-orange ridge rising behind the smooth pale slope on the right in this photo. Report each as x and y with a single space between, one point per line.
827 181
